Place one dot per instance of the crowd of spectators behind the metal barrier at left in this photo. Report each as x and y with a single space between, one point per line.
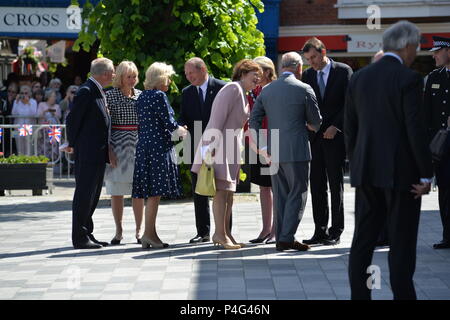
30 102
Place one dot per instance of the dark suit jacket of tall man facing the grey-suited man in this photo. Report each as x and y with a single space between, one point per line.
332 105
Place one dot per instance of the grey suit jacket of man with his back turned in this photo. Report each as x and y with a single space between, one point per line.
289 105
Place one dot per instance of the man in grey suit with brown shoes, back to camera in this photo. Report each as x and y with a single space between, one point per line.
291 109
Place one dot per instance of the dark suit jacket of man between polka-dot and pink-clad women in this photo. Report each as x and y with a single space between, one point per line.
191 110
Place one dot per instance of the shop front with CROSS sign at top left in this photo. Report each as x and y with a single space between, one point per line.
36 39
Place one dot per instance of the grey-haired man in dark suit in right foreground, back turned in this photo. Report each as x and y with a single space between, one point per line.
390 162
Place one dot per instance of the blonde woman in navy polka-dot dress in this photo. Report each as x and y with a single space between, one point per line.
156 172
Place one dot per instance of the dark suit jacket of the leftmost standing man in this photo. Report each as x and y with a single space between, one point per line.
88 125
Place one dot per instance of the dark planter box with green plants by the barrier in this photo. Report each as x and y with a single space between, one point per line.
24 172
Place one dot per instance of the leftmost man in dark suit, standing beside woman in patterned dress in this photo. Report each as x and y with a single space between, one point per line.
88 132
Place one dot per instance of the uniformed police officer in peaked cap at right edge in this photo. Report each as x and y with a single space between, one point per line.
437 106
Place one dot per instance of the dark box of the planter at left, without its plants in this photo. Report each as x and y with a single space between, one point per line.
24 176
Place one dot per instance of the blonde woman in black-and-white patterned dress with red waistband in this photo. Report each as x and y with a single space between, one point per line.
121 102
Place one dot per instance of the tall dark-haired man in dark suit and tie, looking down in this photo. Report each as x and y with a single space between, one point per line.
329 79
